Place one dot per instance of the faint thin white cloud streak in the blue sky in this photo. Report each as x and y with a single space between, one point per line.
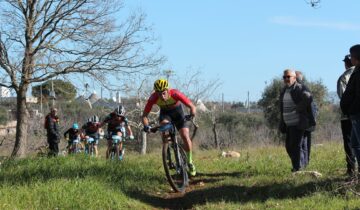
293 21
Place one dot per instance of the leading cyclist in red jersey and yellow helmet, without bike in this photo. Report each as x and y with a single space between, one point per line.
169 101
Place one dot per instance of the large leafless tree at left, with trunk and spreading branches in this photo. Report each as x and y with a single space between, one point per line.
44 39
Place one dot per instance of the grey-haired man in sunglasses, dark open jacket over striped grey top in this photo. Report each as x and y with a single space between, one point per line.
294 119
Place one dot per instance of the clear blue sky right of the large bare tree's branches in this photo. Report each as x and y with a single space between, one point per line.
245 44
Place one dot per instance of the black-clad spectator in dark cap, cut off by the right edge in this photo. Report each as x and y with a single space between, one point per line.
350 101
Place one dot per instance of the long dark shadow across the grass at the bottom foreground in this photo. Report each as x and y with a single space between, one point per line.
233 194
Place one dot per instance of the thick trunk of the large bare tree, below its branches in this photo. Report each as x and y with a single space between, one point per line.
21 124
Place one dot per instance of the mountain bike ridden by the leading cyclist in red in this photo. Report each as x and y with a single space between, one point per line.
173 156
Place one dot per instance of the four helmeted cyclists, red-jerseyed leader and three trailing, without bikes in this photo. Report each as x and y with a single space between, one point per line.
169 101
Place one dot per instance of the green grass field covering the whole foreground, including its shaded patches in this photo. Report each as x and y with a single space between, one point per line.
259 179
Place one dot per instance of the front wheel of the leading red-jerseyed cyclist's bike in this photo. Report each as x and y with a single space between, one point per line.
174 162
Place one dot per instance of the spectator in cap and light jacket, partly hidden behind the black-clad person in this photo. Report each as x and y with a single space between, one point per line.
345 121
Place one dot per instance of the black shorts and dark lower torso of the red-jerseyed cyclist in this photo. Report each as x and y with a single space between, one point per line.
175 115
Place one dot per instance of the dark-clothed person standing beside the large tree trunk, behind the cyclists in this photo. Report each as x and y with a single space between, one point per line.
53 134
